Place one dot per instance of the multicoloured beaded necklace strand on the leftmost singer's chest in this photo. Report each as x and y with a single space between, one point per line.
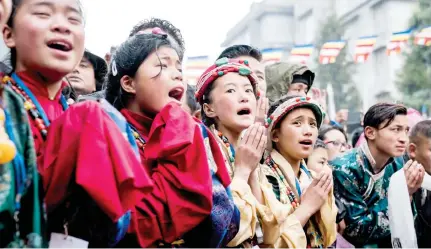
31 104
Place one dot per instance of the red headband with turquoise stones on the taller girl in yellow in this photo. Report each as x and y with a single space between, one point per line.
221 67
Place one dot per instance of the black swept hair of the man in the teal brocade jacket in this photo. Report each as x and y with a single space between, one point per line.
381 115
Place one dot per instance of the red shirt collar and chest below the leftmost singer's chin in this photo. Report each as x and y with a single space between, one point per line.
53 109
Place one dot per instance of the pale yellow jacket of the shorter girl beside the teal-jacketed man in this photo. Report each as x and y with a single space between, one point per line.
325 217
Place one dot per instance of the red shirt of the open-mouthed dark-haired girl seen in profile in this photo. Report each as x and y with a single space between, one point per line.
176 160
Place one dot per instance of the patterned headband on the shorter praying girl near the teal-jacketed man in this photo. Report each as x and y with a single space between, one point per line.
288 106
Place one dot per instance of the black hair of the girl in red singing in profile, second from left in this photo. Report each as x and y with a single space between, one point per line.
126 61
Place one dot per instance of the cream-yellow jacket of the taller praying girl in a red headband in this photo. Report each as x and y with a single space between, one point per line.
272 217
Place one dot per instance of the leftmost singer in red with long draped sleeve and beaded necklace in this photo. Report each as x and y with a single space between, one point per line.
89 172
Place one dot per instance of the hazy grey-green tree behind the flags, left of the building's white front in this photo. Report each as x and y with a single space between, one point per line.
339 74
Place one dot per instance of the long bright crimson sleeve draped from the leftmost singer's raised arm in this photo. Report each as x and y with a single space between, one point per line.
84 145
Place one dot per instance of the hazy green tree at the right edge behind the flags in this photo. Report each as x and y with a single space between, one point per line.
414 79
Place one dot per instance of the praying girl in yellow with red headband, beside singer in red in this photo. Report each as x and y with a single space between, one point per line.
227 92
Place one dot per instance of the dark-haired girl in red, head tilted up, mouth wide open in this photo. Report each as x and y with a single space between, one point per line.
190 205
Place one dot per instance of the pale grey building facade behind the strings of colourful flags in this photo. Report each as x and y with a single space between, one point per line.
375 79
